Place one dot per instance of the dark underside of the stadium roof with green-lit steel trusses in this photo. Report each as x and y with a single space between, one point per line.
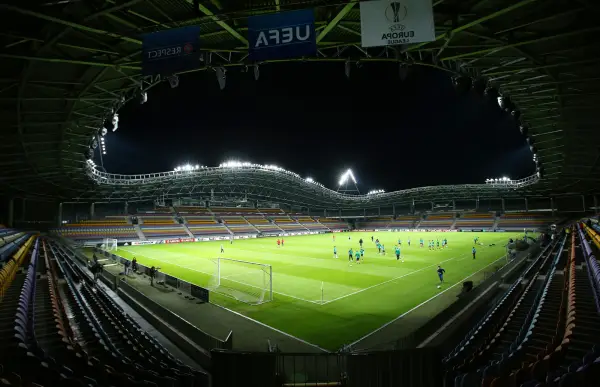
67 64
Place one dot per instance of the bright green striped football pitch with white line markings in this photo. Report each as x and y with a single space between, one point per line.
321 299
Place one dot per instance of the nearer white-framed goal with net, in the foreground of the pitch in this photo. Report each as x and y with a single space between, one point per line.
247 282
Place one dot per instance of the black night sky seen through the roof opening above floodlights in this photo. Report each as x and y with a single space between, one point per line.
310 119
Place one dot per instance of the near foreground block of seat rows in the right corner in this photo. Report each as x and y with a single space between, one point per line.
544 330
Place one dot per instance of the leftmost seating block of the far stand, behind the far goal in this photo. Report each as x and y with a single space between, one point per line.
94 230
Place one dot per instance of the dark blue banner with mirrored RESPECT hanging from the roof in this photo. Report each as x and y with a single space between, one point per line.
171 51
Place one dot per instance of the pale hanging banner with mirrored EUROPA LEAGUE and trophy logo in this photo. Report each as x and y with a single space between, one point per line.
390 22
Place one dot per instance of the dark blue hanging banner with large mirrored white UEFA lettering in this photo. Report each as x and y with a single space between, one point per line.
282 35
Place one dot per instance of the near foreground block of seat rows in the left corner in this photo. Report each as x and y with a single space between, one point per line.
60 330
